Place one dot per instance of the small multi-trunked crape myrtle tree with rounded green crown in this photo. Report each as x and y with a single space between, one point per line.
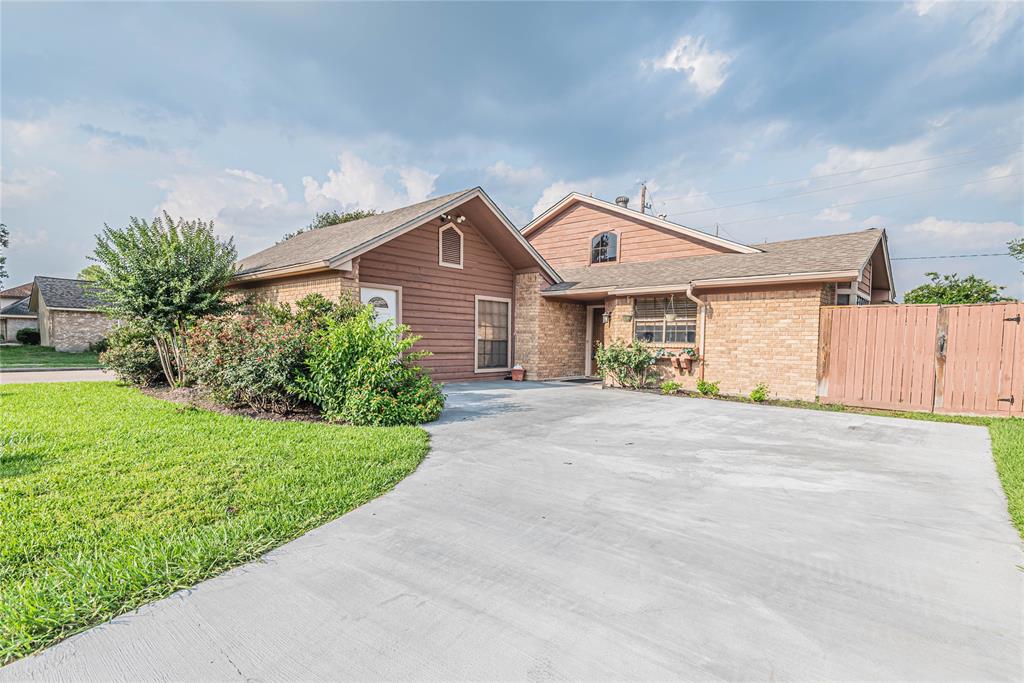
164 276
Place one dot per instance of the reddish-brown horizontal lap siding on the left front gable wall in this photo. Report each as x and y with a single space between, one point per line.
439 303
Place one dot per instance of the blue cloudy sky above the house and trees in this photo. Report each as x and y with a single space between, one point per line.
258 115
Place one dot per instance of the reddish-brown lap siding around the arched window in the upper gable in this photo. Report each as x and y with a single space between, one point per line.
566 241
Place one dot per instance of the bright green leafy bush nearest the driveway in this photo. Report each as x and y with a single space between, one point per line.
360 371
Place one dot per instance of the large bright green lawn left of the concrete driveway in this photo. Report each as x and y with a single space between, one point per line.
110 499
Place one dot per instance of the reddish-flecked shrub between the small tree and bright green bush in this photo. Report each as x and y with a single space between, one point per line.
252 359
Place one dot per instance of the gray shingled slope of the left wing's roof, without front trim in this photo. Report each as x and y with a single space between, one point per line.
327 243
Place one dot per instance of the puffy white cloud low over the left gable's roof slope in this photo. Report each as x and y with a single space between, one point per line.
358 184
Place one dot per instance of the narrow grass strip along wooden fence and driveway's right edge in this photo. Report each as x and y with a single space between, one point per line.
1007 436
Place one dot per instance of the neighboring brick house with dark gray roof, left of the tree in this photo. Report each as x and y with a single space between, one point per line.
70 316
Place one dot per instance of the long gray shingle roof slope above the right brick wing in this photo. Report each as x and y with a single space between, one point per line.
813 255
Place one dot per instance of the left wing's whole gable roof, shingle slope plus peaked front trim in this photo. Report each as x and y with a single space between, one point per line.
333 246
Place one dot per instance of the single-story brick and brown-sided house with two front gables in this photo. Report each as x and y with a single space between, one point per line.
485 295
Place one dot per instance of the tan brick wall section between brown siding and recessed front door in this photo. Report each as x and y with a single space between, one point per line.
550 336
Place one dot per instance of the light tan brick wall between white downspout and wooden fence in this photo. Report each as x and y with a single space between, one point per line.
767 335
